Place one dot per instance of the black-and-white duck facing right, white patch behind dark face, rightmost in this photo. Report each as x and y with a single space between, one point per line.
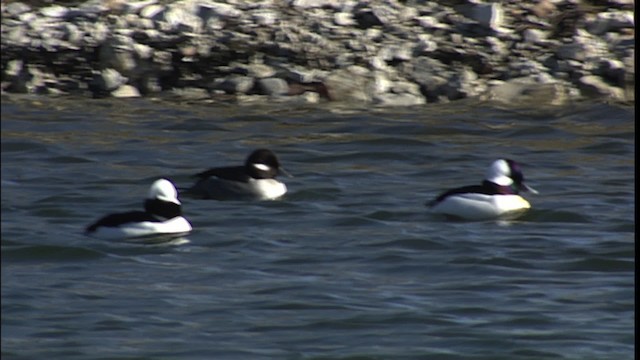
497 196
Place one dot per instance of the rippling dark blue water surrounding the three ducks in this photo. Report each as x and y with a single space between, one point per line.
349 265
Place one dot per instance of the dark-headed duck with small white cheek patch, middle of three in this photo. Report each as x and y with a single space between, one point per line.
254 180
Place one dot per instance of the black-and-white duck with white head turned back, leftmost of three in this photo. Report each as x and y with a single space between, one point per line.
162 217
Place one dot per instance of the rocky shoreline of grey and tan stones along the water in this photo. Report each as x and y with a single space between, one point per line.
387 53
